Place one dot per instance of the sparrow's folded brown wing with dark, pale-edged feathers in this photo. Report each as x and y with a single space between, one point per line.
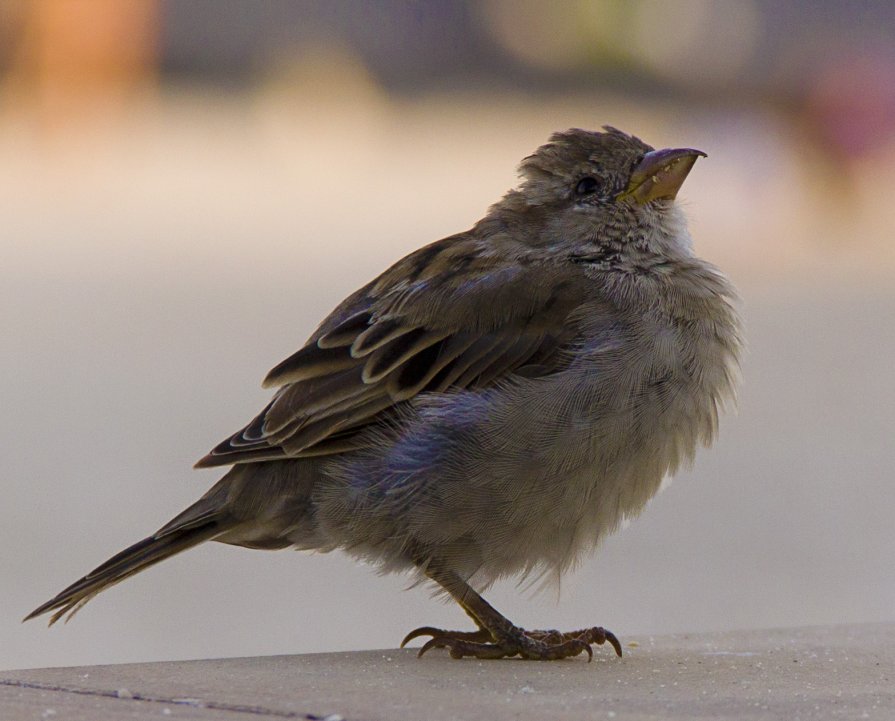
450 316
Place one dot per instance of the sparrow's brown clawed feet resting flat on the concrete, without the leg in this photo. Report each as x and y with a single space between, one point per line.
514 641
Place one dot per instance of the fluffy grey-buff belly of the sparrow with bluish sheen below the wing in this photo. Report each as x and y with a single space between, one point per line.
516 479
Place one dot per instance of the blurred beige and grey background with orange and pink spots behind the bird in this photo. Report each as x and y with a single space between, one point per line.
187 187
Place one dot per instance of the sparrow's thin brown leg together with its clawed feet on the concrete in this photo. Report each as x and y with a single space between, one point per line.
497 637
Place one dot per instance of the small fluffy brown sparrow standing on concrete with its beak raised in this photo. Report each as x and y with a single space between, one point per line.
491 405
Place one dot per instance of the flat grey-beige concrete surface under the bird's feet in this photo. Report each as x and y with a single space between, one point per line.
843 672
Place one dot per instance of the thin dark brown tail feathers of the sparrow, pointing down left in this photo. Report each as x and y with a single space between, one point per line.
134 559
